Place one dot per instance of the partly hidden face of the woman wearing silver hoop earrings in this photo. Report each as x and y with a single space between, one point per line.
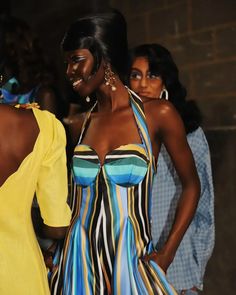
142 81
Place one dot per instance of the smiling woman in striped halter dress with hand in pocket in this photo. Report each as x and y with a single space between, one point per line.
109 249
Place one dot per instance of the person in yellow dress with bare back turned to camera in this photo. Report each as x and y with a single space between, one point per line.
32 160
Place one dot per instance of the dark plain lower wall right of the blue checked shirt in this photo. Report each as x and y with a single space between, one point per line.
221 270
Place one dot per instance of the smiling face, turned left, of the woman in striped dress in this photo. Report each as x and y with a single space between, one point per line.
79 67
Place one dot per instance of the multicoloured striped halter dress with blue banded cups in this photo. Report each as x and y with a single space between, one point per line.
110 229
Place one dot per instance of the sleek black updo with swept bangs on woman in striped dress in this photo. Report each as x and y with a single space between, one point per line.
104 35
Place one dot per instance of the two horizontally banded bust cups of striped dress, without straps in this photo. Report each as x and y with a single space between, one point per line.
125 166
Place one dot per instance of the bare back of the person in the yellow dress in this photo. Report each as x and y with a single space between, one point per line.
18 133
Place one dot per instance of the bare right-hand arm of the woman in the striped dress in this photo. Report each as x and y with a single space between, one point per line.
169 127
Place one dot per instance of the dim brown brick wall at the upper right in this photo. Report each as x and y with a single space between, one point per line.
201 34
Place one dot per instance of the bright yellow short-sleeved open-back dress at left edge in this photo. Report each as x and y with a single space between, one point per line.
22 269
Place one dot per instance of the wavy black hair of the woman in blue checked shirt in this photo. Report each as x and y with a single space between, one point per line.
162 64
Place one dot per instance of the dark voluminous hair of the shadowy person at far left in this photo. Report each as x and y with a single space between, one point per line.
21 55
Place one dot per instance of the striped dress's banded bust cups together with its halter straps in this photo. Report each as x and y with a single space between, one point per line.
126 165
